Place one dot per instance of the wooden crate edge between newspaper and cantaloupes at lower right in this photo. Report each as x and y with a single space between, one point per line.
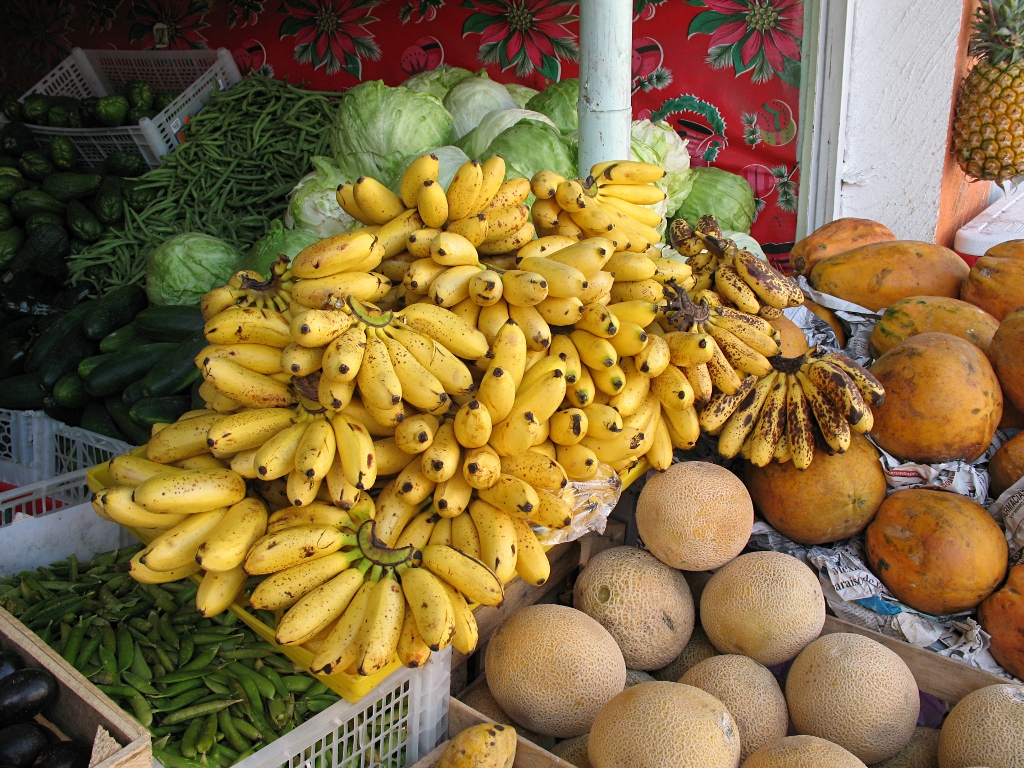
946 678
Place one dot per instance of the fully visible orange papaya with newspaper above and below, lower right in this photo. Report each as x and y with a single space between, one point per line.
936 551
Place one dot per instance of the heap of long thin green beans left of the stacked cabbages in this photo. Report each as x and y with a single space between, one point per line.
242 156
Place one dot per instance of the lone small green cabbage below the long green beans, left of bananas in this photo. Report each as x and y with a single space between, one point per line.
186 267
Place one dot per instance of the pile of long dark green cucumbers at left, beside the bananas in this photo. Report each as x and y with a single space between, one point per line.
112 366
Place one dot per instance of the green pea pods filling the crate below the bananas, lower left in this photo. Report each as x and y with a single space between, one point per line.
210 692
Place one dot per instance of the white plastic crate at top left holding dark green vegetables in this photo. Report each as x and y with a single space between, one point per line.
104 73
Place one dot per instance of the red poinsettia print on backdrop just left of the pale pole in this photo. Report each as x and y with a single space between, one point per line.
527 34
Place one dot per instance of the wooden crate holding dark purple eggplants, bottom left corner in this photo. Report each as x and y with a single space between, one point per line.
80 708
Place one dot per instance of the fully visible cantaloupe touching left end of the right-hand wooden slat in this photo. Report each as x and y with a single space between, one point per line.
856 693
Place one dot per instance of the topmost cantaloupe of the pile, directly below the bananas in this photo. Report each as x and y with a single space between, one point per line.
695 517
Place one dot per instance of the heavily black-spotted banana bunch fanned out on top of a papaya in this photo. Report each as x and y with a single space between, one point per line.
815 400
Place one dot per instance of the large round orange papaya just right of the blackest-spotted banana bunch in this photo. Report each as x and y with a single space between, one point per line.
943 400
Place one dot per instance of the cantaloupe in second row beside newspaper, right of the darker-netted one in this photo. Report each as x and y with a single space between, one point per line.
766 606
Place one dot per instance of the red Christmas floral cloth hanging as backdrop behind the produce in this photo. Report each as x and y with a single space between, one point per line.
723 73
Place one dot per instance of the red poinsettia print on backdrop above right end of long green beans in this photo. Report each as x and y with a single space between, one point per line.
331 34
